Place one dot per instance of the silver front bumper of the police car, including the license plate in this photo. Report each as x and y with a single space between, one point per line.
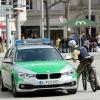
56 84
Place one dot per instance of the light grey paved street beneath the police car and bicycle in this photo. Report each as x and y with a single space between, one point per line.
81 94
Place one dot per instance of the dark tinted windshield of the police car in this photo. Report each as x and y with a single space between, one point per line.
38 54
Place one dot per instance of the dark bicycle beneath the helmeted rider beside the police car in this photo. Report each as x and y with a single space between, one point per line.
89 74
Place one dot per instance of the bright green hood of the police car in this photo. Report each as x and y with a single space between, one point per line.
44 66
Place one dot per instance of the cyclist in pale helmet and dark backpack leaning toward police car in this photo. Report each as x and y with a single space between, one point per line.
80 53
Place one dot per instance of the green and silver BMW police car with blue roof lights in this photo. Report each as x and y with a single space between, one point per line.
38 66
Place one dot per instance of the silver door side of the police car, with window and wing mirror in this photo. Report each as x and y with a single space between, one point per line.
7 68
